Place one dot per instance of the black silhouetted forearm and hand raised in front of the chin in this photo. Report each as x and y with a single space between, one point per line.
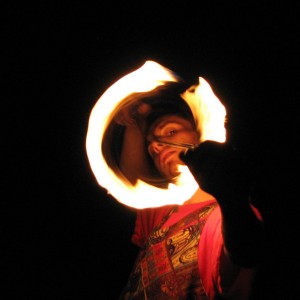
220 171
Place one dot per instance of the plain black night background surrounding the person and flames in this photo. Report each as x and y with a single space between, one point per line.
64 237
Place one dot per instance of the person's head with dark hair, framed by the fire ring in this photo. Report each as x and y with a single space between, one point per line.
169 112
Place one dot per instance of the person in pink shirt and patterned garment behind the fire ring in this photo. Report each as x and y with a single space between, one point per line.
211 246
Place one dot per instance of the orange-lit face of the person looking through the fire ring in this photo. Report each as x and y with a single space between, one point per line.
172 129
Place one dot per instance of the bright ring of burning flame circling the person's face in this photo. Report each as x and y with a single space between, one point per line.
209 115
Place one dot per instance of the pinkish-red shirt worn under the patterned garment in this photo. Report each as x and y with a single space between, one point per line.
230 280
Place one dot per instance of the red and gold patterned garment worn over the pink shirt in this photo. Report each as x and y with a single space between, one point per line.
167 266
